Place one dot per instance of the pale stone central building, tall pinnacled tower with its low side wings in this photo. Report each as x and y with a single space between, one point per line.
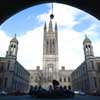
50 70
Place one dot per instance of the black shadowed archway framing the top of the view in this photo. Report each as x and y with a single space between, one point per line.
11 7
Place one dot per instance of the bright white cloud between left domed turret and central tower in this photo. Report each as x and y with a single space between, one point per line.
30 48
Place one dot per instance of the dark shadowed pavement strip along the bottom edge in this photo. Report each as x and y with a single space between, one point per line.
31 98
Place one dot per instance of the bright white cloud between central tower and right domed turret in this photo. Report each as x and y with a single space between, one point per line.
70 48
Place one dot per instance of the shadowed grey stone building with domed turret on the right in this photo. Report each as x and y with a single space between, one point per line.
86 77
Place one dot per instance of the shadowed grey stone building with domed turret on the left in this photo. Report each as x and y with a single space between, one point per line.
13 76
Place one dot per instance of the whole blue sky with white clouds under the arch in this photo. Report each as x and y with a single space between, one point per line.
73 25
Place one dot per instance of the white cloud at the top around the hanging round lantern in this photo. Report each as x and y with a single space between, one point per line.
63 14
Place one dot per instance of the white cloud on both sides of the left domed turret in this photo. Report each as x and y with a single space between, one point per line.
29 47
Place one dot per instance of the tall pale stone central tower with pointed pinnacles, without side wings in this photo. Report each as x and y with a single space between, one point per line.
50 52
